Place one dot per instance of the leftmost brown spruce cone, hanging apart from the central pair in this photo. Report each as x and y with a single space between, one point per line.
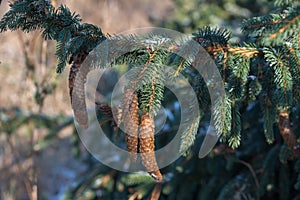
77 79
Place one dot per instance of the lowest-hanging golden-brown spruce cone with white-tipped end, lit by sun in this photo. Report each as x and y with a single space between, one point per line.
147 128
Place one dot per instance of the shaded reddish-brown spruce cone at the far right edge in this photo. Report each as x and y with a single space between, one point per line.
287 133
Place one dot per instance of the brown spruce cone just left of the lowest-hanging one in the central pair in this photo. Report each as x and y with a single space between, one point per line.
130 117
